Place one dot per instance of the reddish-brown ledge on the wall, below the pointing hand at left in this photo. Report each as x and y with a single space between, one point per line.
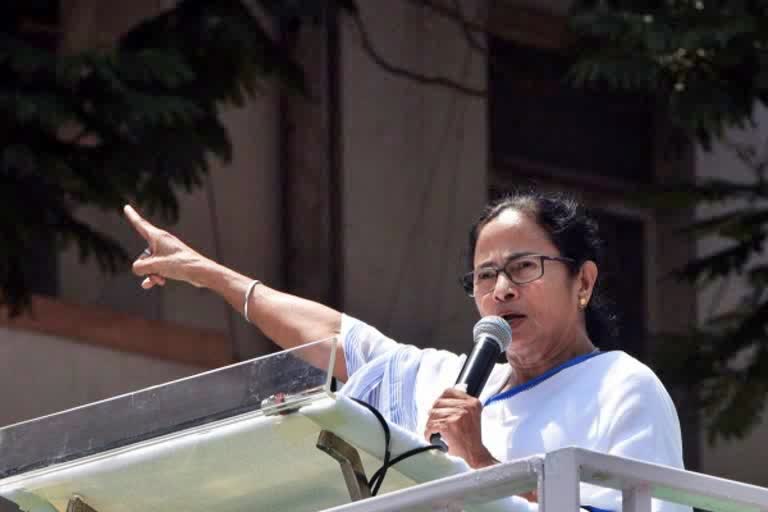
205 348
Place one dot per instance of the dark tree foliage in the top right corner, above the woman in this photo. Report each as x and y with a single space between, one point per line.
706 61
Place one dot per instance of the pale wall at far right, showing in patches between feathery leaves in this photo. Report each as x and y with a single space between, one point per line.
741 459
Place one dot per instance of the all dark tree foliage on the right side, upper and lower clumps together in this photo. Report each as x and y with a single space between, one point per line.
706 63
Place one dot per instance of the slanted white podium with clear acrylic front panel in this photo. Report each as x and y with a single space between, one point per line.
265 434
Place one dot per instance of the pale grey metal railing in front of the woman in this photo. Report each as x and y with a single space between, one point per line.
556 477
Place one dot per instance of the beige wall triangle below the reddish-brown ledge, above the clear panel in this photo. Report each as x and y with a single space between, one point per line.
41 374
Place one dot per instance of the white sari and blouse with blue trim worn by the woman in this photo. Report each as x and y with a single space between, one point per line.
610 403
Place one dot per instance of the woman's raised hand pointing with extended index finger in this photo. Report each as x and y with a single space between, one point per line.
167 256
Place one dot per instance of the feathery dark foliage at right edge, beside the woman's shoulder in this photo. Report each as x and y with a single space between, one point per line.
726 357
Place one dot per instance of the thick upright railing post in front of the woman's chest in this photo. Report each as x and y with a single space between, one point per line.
561 482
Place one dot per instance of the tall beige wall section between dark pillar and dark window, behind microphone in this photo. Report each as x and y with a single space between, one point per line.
415 163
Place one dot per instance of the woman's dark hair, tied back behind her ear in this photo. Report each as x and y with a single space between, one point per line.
575 234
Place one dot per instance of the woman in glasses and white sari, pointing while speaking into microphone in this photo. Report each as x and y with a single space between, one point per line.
533 262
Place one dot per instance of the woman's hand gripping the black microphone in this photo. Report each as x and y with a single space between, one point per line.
456 416
